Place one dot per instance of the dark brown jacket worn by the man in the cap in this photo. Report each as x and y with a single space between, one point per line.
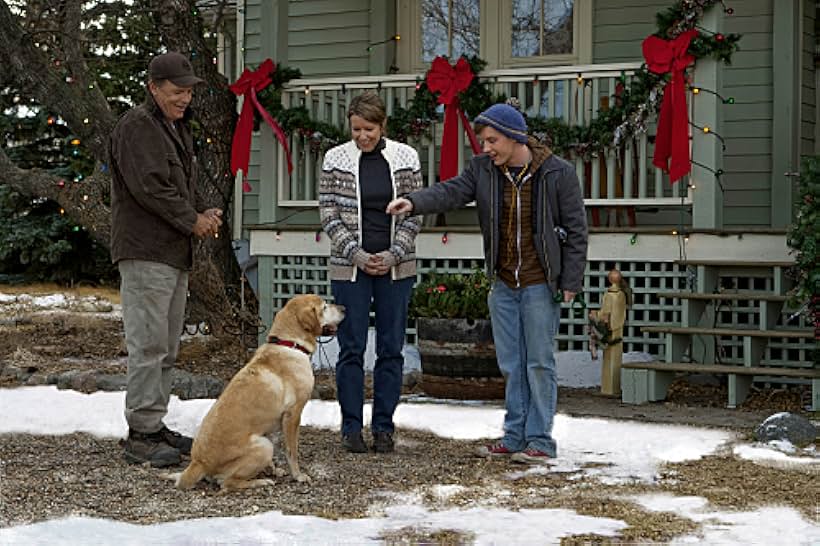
153 196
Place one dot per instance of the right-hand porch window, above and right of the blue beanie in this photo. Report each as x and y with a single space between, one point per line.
541 27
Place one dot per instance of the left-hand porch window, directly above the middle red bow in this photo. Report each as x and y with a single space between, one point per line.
451 28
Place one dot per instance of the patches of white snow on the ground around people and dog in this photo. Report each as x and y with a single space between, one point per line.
633 451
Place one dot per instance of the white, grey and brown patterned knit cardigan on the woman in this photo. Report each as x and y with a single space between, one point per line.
340 208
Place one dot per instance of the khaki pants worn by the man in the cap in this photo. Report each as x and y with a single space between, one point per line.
153 310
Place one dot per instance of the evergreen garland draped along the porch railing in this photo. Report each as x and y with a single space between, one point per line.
632 103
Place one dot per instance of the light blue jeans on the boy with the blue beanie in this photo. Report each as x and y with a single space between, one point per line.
525 321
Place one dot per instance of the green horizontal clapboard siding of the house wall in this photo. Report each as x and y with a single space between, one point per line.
330 38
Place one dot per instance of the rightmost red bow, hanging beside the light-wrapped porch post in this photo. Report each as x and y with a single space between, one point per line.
672 139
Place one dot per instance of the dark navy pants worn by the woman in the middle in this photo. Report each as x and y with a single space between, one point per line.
390 300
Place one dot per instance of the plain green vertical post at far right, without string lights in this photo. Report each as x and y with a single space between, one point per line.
785 108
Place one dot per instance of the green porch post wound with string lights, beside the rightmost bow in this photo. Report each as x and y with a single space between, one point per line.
707 197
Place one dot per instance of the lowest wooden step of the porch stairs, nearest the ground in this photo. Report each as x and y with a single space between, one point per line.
643 382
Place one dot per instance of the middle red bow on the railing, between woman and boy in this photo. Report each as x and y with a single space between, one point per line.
449 82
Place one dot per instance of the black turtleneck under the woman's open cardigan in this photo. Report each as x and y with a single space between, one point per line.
376 188
